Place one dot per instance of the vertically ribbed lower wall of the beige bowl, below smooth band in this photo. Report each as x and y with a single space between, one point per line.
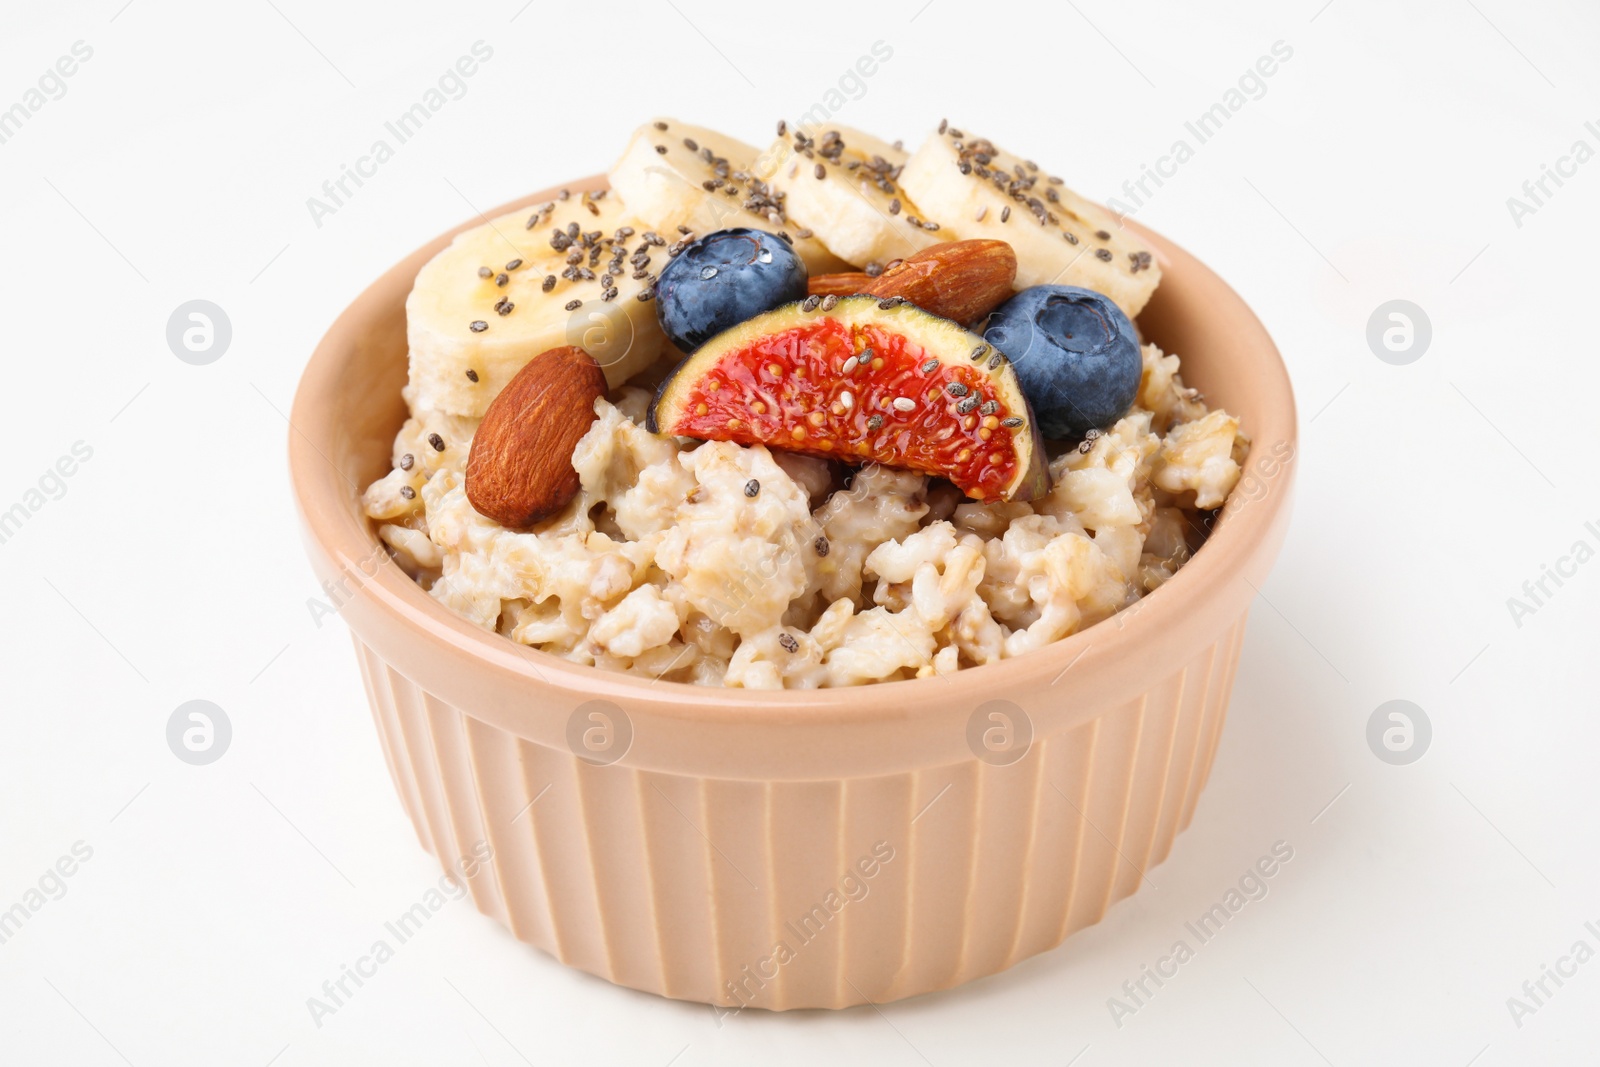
718 890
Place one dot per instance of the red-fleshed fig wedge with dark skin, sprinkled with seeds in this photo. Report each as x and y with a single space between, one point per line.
863 380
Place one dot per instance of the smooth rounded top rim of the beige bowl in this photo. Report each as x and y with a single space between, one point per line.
1230 554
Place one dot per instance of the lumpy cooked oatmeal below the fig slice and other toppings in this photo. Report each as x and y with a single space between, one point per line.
721 564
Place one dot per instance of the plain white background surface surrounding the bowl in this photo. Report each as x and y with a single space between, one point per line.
1375 167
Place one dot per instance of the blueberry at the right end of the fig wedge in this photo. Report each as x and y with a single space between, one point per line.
1074 353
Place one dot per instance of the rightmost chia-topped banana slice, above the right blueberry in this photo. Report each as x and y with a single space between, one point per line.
975 190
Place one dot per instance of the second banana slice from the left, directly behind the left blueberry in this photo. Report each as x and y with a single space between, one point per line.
674 177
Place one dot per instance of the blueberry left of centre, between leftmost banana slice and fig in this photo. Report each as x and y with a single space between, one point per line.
724 279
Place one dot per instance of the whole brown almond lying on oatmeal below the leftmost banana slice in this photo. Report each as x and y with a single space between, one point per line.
521 468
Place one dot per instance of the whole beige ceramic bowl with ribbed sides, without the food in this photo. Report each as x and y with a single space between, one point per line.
799 849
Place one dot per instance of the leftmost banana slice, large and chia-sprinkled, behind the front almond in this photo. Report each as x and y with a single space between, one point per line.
566 273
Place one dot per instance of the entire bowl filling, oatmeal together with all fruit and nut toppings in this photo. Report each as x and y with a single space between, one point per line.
916 430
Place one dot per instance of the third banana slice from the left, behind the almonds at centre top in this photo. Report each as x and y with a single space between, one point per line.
844 190
